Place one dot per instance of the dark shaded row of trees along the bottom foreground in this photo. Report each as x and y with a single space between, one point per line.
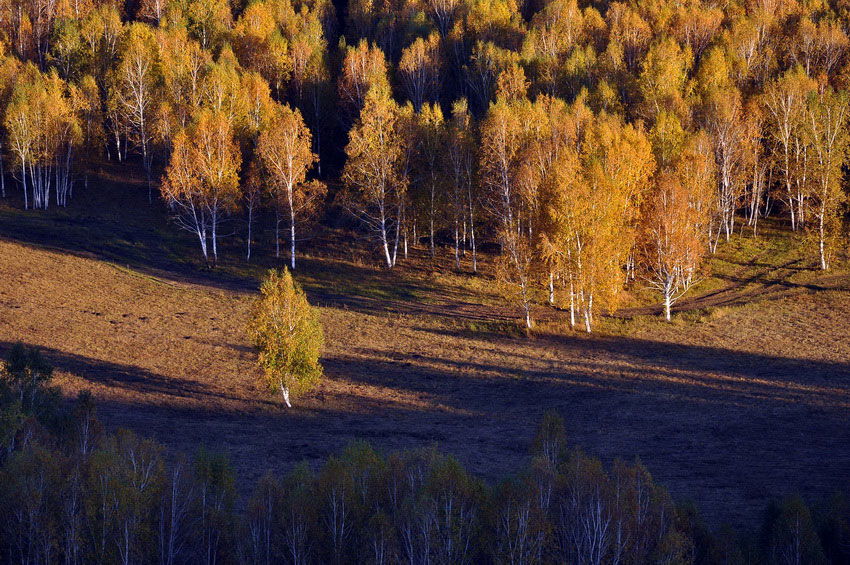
72 493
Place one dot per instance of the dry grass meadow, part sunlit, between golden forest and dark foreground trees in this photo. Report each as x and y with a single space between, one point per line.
745 396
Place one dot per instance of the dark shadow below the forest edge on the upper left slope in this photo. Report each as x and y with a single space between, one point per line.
128 232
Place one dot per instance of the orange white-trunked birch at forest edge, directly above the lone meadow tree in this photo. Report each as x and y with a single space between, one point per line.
284 152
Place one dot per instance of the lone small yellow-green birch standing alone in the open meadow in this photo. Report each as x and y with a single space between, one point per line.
288 335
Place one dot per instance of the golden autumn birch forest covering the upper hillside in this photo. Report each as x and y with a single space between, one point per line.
600 144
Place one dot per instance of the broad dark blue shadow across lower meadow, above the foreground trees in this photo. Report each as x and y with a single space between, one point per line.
728 429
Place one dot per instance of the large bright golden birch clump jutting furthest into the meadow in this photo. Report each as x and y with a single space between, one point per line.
590 207
